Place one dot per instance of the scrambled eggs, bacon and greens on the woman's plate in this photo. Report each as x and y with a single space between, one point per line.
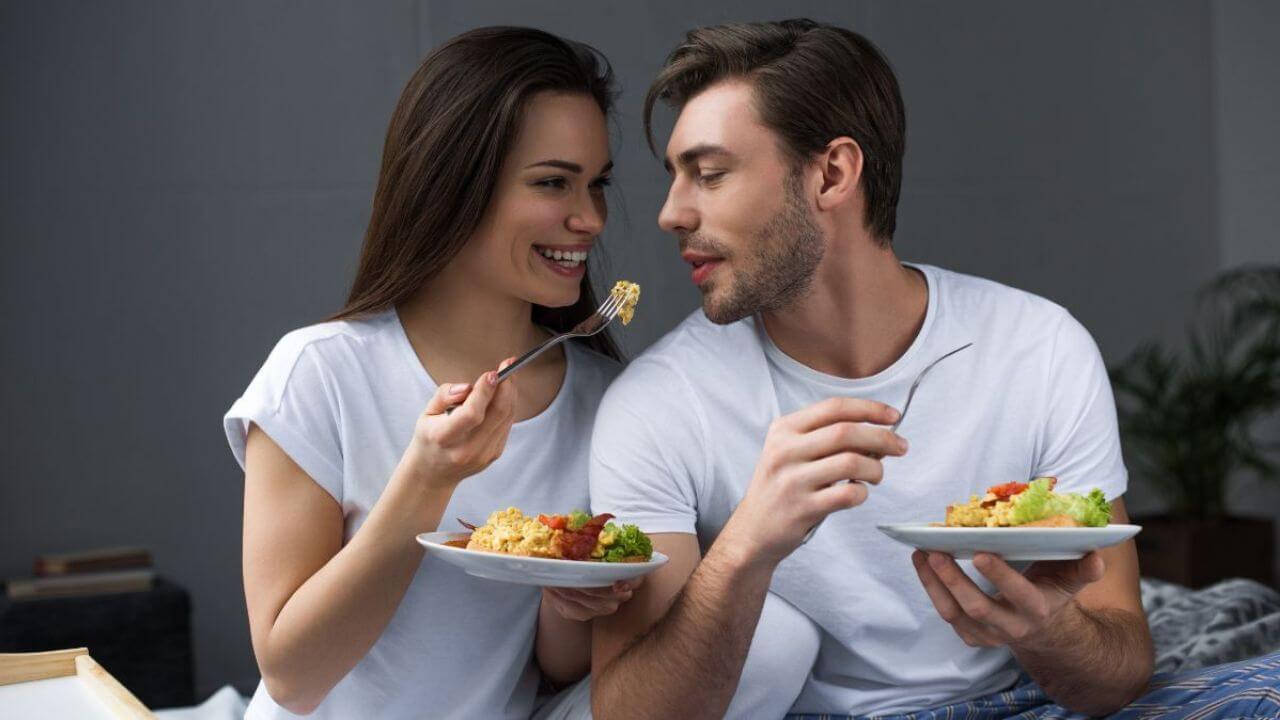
577 536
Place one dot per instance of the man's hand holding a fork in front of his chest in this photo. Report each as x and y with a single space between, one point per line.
804 455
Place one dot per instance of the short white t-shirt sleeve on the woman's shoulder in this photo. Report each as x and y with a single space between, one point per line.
292 400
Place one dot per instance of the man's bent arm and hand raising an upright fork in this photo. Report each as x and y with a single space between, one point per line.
678 649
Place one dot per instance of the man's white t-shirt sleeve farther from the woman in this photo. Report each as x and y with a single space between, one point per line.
1081 440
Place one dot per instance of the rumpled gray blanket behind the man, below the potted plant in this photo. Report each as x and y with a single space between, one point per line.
1191 630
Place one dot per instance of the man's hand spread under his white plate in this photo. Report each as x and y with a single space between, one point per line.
1026 605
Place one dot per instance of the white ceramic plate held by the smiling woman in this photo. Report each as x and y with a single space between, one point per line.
536 571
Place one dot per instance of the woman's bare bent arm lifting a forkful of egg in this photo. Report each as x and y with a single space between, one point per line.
316 605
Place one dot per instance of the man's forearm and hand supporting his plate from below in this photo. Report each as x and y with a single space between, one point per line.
1077 627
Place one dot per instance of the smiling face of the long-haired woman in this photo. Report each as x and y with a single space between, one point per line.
548 204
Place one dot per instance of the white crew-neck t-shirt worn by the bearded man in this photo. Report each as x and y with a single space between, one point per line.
679 435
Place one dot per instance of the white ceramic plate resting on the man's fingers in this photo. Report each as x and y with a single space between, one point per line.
1011 544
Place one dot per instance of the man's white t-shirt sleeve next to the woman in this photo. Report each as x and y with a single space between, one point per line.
647 458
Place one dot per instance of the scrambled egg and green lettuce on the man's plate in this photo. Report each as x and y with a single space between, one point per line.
1031 505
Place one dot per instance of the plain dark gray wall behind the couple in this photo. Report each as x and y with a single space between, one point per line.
182 184
